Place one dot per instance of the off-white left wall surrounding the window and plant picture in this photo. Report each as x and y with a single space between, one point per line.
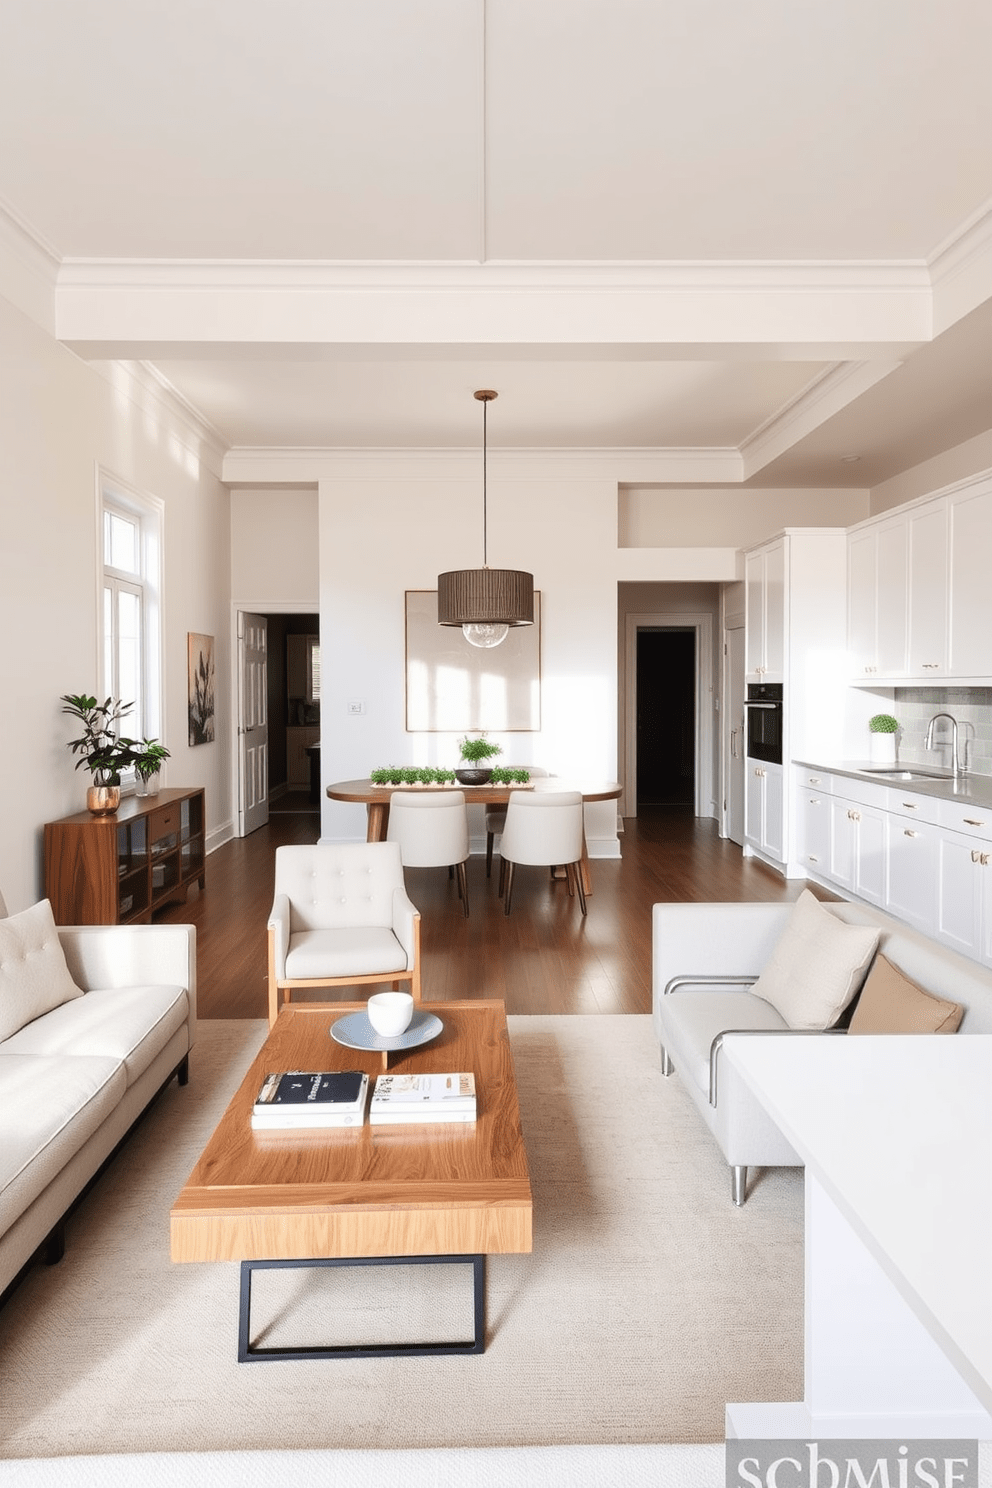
59 422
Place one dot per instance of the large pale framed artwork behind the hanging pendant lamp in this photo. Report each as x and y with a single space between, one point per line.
453 687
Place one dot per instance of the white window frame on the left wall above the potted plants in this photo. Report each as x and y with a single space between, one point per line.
149 513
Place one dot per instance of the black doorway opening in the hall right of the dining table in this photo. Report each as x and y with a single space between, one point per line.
666 718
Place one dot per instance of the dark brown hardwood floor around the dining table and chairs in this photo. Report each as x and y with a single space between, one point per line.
542 959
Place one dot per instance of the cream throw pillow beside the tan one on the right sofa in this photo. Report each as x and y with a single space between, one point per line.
817 966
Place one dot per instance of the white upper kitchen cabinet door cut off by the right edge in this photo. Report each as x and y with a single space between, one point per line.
970 542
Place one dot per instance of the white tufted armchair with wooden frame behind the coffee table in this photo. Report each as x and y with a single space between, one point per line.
341 916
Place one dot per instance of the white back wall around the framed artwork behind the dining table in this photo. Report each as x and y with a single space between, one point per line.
393 523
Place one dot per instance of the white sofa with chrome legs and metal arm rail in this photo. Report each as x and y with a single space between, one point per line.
706 959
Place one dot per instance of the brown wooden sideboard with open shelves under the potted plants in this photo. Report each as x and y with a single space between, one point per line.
118 870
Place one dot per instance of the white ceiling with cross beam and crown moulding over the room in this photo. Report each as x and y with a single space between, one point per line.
661 178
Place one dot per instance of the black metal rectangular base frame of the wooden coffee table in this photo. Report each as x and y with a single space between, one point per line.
248 1353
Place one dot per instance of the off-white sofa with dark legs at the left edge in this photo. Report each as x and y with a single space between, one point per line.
77 1078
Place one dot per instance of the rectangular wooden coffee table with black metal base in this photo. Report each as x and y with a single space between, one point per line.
365 1196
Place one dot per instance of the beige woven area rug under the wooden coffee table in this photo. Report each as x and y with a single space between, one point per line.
648 1304
